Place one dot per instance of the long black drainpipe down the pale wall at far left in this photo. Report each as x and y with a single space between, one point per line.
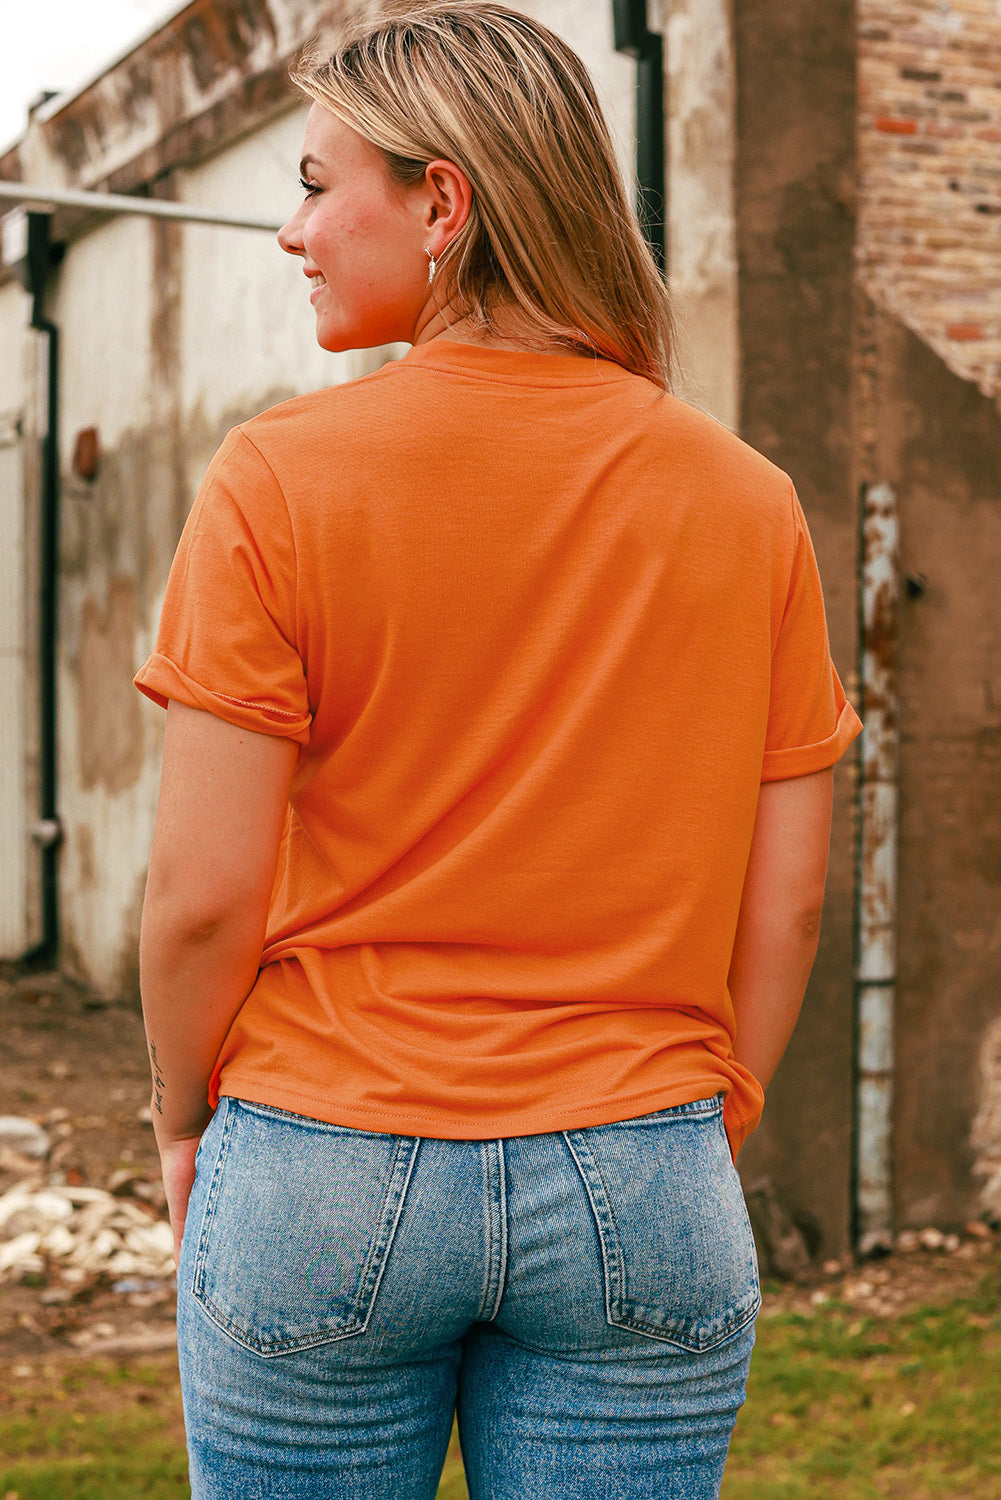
47 832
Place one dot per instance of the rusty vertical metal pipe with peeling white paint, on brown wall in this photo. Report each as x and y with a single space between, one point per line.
877 889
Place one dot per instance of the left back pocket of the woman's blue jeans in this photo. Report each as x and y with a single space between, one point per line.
298 1228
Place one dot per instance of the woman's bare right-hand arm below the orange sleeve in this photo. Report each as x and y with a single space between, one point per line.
780 917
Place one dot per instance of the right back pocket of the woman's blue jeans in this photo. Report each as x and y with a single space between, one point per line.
678 1249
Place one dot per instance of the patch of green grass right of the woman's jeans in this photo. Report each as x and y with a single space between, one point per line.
862 1409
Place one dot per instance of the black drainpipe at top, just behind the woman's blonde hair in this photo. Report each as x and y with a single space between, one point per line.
636 40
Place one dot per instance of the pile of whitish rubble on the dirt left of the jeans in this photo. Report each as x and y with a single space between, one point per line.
77 1234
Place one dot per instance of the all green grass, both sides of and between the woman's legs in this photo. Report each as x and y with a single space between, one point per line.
840 1406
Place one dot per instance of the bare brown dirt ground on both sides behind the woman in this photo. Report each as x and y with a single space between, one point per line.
76 1066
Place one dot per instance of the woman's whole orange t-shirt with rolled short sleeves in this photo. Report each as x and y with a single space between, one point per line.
541 632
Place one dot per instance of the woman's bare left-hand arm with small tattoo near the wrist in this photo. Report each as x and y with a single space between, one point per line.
223 802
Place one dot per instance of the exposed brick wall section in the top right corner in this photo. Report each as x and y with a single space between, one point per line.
930 155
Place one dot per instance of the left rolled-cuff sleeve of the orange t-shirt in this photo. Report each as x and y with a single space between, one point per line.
227 634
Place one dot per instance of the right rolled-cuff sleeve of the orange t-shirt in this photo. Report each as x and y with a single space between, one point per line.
811 722
